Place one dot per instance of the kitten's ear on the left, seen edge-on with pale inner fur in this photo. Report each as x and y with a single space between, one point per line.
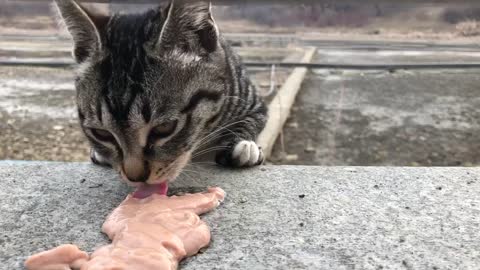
84 26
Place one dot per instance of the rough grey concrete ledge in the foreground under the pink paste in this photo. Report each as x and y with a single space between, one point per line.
282 217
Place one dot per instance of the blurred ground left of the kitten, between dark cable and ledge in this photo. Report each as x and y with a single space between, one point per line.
37 115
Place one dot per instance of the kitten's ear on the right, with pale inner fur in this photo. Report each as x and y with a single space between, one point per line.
189 26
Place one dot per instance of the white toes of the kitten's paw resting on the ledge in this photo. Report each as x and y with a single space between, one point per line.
247 153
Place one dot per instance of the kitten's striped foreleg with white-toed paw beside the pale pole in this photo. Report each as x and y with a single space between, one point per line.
241 148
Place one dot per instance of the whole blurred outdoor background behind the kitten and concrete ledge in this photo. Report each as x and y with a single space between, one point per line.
361 108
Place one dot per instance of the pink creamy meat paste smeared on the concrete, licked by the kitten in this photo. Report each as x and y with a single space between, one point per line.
153 233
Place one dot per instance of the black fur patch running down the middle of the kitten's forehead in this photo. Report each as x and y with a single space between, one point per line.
123 70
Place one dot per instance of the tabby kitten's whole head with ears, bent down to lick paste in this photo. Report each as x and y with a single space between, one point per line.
148 85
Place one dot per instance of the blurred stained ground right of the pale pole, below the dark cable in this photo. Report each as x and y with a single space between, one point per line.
379 118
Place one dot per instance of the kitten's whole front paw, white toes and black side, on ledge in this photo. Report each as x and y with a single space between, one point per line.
243 154
